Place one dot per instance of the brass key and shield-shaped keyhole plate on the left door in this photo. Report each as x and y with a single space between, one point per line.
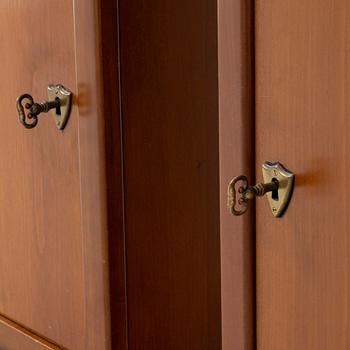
60 100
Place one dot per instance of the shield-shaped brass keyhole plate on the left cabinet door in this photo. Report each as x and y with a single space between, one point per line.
61 114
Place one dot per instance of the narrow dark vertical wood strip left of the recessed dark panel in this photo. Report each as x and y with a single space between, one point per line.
114 164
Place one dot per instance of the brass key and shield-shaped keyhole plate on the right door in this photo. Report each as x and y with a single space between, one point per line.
278 186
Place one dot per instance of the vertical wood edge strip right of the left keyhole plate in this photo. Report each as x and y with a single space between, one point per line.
93 173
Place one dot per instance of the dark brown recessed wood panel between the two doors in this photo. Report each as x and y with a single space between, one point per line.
171 159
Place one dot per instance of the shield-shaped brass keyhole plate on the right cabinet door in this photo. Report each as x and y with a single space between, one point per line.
280 198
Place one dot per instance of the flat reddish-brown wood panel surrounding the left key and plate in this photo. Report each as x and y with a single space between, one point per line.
40 226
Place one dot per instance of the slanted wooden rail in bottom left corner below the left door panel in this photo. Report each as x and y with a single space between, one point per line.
14 337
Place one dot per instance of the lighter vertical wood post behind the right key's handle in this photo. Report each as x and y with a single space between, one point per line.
236 138
